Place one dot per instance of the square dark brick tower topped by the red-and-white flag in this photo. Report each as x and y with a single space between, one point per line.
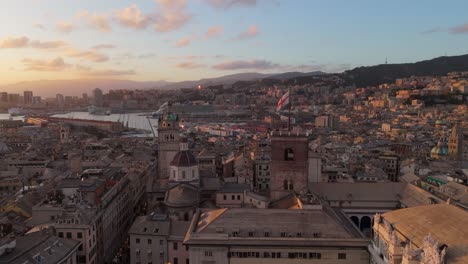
289 163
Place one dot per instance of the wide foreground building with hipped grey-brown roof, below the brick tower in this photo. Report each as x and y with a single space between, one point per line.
241 235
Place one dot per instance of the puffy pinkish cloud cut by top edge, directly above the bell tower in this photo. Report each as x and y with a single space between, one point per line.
171 16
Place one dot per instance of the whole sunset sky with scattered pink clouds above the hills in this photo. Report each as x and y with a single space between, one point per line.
175 40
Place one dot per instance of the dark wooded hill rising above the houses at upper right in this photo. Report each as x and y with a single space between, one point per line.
386 73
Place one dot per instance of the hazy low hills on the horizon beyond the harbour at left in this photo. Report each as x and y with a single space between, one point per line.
49 88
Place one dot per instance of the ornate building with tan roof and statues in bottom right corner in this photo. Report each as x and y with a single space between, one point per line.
433 234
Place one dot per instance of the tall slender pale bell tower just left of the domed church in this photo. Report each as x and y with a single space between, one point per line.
168 143
